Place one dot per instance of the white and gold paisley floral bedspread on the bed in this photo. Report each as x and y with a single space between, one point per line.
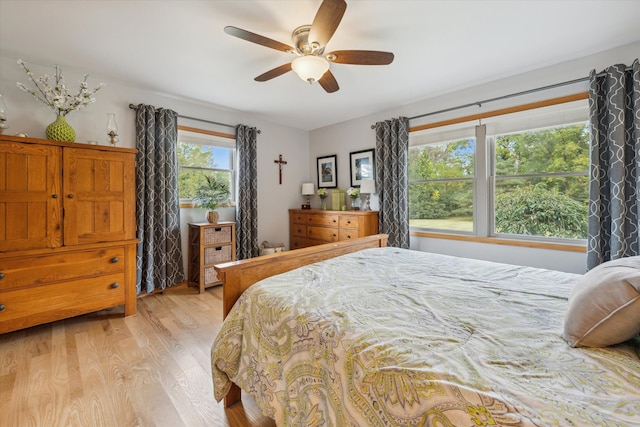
393 337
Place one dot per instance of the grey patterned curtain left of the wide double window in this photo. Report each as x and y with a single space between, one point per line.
392 150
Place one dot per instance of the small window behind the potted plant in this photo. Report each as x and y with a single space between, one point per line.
201 154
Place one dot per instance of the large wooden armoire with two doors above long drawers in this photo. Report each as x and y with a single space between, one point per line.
67 230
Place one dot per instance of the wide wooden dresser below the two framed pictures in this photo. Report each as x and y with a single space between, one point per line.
308 227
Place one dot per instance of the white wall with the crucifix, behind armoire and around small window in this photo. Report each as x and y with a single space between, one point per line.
26 115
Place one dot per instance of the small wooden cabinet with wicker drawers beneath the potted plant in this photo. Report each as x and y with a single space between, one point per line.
209 244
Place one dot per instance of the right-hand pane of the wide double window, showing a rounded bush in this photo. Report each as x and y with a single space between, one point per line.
542 182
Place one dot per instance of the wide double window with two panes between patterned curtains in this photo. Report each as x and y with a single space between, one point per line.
519 175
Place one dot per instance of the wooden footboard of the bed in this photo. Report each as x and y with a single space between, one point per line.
237 276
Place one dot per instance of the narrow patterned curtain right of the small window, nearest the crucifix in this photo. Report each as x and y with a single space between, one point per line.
247 201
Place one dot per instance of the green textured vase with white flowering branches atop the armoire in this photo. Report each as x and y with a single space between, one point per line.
56 95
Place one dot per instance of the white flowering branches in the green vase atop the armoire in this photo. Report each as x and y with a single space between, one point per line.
58 96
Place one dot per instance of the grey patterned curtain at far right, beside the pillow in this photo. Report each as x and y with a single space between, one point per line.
614 104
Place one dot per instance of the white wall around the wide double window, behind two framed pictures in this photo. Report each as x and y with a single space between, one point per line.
354 135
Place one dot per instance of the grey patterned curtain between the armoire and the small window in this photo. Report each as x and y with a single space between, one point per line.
159 257
